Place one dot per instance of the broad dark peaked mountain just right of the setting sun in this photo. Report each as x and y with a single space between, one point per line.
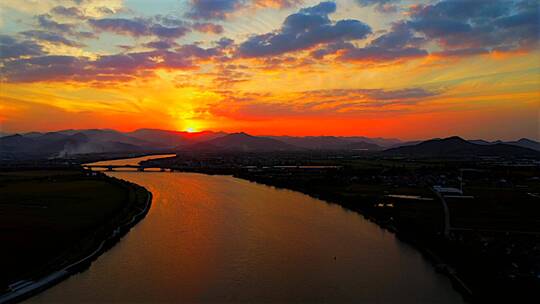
242 142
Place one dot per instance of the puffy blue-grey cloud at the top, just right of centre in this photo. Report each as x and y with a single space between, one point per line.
303 30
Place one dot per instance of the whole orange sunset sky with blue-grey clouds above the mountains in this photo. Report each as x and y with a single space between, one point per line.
392 68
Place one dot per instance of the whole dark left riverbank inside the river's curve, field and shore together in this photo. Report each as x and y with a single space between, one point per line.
56 222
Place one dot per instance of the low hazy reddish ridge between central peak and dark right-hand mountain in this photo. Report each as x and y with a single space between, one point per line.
327 143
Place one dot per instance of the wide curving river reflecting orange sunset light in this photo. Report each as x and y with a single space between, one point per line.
222 239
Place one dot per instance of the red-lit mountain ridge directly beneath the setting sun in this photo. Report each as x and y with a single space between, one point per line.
171 139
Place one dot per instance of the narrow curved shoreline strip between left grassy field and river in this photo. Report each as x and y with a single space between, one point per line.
28 288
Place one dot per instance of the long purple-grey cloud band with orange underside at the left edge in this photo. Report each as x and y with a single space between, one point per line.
117 67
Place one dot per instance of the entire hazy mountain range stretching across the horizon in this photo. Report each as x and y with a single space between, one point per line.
68 143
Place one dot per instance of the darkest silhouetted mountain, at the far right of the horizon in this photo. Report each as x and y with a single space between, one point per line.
458 147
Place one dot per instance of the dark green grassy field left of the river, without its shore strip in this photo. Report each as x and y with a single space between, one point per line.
44 215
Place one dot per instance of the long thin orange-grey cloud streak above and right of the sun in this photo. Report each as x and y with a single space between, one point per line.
338 102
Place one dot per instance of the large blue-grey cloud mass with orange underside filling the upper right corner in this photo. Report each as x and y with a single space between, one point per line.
459 27
